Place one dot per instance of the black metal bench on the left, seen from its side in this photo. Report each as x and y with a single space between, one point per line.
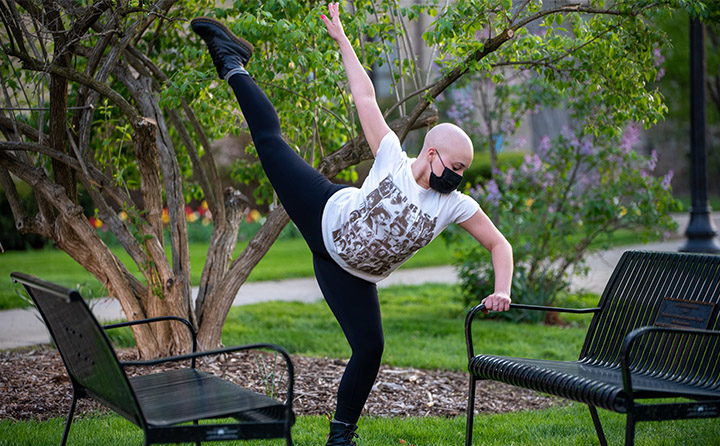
163 404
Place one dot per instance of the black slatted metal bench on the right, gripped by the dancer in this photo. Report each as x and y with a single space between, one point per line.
655 334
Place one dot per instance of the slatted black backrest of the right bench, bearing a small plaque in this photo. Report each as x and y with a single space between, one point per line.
632 298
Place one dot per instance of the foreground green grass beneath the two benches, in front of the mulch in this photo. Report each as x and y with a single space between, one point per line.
565 426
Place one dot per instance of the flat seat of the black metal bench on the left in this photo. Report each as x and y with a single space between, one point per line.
179 396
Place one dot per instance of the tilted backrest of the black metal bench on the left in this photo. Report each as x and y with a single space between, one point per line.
85 349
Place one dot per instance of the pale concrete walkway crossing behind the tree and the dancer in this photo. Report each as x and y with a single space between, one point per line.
20 328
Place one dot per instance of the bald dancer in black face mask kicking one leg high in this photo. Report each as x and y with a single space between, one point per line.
358 236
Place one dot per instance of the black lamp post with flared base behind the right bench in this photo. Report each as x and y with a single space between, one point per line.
700 232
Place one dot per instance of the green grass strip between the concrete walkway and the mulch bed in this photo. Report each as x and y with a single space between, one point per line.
423 325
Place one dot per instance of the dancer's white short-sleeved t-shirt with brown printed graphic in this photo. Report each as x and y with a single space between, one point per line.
373 230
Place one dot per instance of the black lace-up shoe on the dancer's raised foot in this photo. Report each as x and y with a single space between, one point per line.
226 49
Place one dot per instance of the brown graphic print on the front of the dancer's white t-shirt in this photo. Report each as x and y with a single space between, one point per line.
385 231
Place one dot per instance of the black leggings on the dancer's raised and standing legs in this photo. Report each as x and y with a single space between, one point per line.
303 191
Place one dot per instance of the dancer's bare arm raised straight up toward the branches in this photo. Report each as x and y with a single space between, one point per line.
371 119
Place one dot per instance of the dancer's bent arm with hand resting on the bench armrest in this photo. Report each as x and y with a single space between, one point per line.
485 232
